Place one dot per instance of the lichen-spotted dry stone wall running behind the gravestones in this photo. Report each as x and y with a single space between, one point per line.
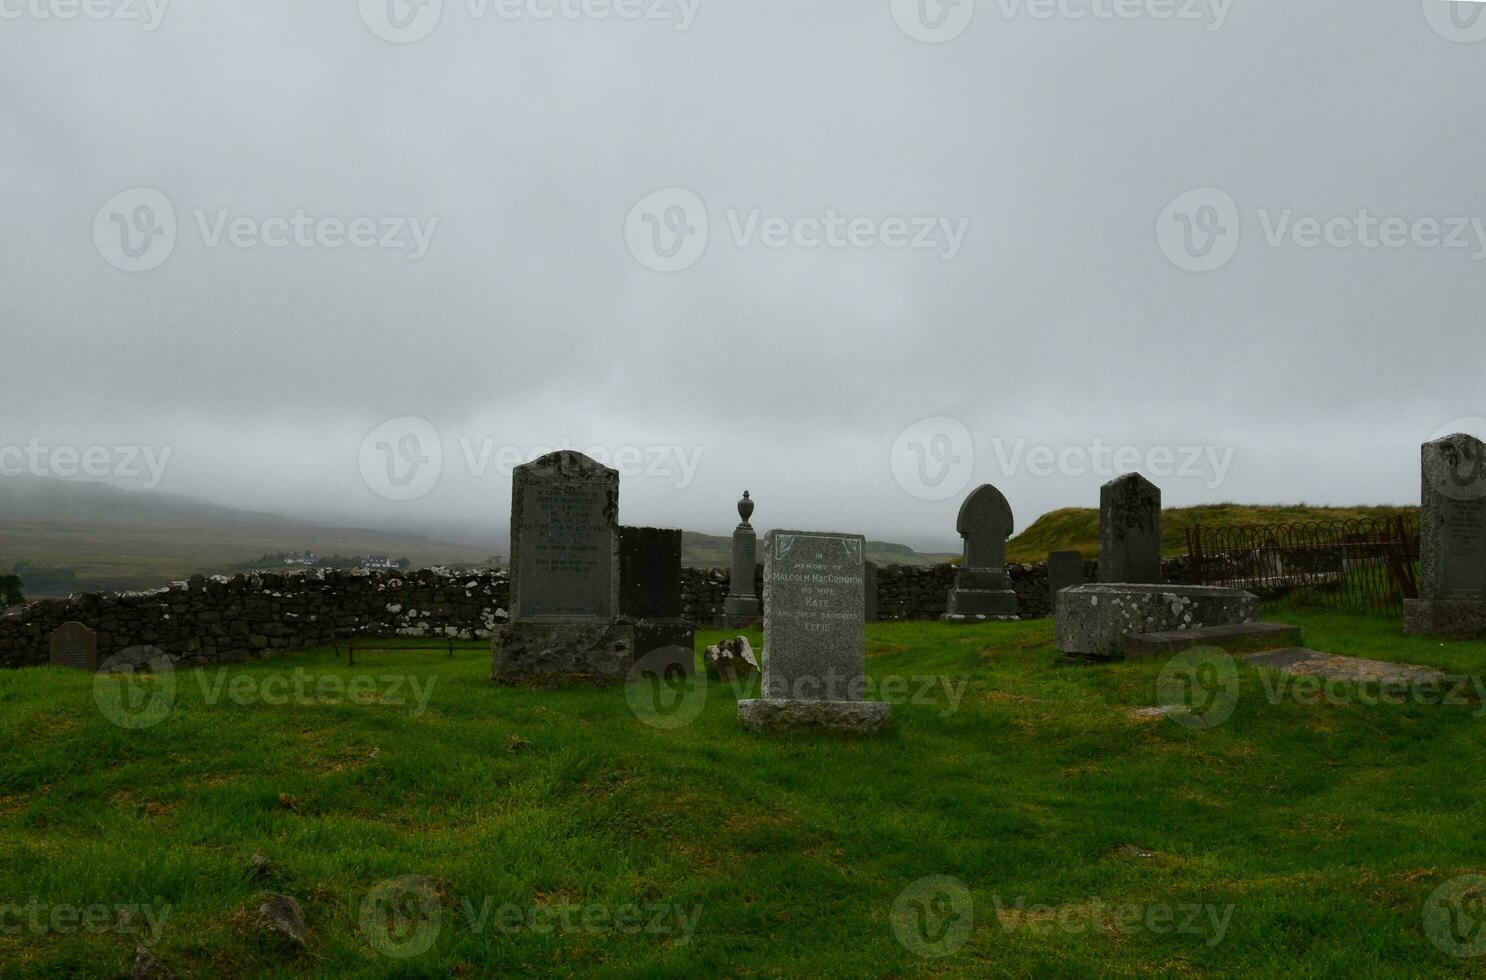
258 615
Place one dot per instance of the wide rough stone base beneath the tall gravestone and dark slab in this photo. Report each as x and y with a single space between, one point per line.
597 654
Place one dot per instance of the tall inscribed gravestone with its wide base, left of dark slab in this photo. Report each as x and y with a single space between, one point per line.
567 613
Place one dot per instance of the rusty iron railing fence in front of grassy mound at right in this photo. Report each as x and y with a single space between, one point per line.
1366 566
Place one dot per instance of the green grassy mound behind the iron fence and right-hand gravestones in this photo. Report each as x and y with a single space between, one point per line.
1078 529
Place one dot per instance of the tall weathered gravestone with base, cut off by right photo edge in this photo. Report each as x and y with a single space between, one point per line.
1453 541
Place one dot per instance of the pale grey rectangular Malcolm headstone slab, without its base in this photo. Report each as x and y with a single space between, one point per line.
815 616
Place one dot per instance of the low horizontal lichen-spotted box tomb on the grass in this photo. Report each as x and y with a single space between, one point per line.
1094 621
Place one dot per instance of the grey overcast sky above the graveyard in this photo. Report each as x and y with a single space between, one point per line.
977 268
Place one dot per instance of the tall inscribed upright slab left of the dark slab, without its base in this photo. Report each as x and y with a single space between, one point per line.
565 541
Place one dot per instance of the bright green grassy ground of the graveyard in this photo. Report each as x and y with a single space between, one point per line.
558 832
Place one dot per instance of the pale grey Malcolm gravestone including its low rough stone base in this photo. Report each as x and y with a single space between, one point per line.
815 637
